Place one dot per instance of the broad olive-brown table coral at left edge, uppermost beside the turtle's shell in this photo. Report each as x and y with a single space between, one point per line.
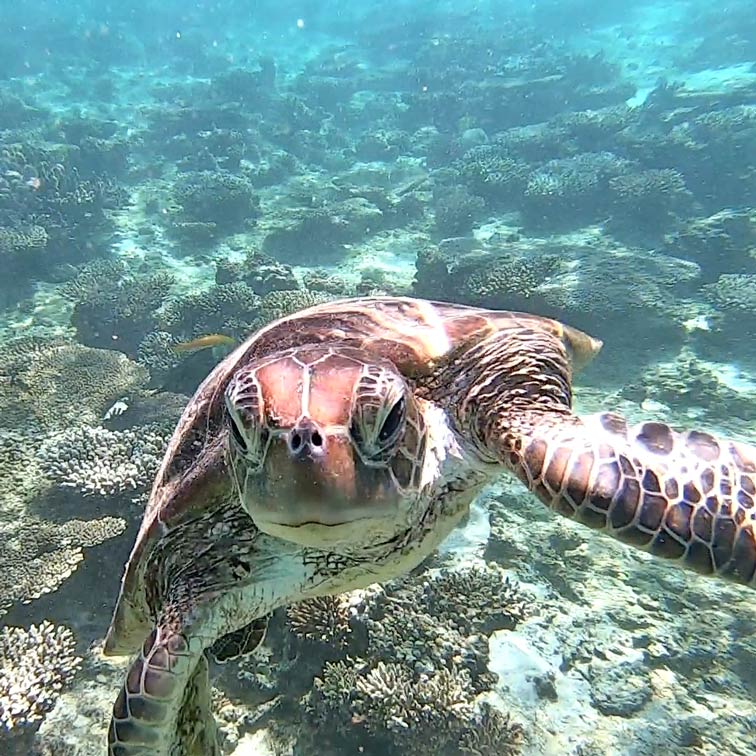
53 384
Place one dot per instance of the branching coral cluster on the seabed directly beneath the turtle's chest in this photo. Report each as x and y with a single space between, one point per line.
395 667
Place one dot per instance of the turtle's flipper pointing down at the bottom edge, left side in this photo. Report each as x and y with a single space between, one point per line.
164 703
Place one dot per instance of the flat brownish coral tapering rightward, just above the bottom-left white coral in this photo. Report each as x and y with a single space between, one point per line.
38 556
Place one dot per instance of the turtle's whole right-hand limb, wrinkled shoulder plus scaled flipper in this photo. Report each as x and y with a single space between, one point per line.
688 497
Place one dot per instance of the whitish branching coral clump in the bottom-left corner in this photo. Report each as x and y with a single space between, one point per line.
36 663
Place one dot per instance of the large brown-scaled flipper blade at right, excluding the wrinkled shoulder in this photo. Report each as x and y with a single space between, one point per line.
687 496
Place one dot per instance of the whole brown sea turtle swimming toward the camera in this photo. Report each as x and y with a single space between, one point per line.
340 445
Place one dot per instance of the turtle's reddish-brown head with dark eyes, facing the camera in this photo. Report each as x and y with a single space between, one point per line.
326 446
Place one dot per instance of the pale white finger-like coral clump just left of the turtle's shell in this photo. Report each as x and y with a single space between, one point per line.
103 462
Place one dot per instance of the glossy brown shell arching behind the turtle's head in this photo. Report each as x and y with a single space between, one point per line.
418 336
